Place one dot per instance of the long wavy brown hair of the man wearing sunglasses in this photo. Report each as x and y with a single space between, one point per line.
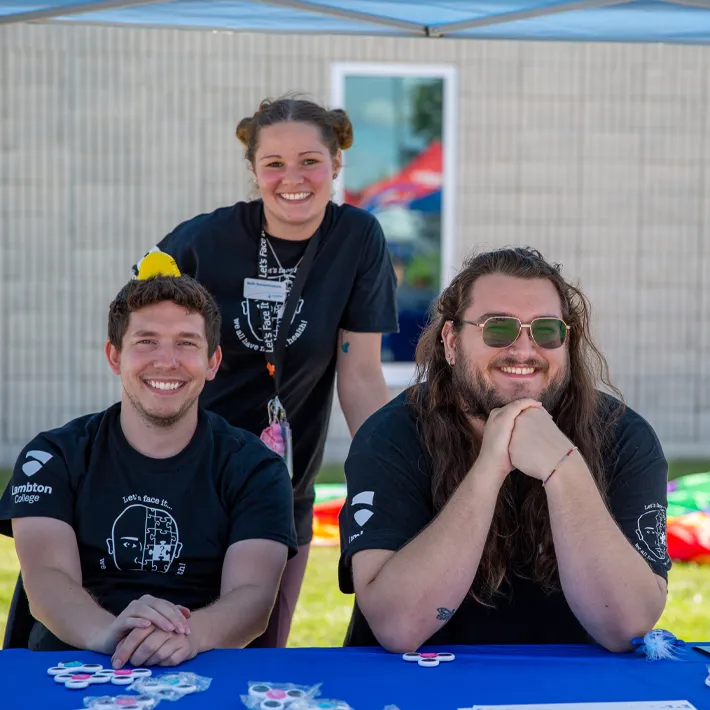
520 538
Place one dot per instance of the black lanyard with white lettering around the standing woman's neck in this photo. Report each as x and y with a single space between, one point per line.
275 344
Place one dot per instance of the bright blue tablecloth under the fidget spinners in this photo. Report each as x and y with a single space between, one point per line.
370 679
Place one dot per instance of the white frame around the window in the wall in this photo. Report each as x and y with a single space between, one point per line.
401 374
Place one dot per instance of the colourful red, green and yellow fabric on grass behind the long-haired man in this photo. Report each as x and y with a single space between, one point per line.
687 532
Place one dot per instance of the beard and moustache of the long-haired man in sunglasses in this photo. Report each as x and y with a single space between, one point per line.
480 399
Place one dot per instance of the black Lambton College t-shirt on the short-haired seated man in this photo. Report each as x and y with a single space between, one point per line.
152 526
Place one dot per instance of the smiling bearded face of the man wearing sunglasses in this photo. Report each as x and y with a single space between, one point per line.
488 377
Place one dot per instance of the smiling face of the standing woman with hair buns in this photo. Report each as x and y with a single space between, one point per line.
294 171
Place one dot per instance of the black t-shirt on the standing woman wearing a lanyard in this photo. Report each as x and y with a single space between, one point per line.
351 285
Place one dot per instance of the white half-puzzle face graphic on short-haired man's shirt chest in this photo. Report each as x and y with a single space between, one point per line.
144 539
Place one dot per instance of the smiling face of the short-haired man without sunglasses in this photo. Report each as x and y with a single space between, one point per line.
163 362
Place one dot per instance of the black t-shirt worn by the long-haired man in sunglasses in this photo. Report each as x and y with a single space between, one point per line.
389 502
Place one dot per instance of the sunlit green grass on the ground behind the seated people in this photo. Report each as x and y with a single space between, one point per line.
323 612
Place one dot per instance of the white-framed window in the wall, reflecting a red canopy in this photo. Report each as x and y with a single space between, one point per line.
401 169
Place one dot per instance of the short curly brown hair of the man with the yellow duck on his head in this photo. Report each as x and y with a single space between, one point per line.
183 290
